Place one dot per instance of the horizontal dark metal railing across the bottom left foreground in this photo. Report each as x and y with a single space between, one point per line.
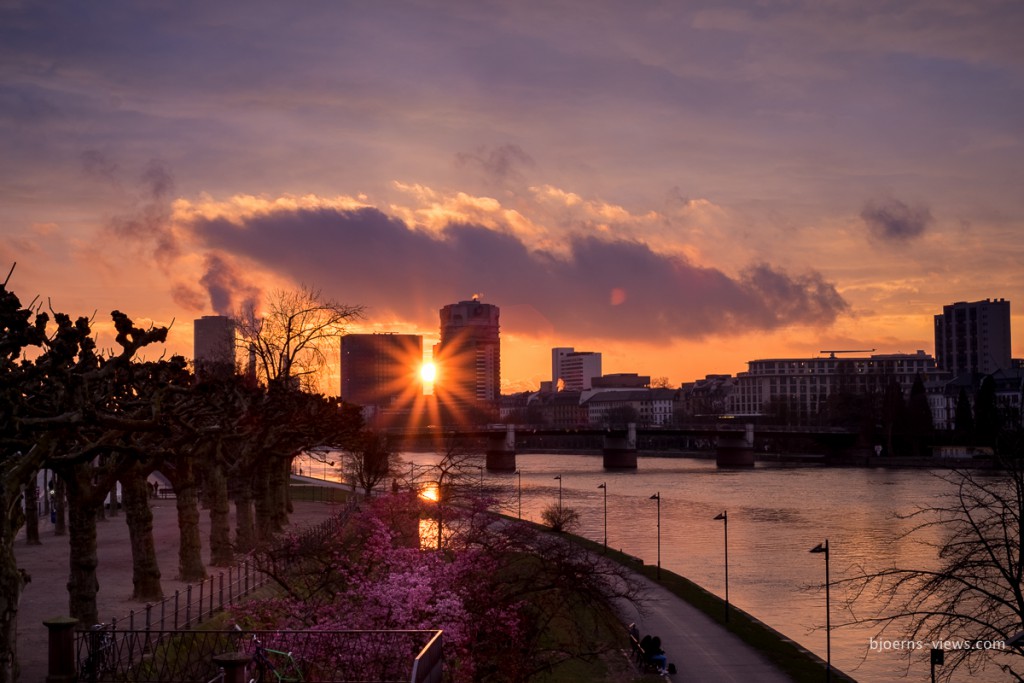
329 657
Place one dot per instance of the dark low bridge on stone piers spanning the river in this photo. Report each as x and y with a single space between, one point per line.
734 442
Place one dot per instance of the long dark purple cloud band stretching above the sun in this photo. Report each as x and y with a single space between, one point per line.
600 288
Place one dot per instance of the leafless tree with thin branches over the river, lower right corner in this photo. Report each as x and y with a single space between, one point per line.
972 605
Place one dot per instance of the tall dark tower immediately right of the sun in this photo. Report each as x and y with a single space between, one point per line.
468 357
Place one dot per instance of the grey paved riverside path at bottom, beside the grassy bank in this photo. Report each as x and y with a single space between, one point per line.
700 648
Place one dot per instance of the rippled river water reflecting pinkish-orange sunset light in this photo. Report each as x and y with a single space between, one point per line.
777 515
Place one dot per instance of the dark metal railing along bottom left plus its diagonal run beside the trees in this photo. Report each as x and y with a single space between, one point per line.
160 644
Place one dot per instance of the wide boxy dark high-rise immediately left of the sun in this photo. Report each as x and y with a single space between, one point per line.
381 370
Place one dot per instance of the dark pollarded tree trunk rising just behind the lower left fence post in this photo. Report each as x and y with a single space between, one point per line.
82 582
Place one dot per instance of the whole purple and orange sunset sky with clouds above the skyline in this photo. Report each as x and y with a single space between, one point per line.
684 187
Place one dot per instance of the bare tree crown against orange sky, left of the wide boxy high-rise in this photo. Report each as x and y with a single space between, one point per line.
291 339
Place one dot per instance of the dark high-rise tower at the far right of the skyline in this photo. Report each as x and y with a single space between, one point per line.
973 338
